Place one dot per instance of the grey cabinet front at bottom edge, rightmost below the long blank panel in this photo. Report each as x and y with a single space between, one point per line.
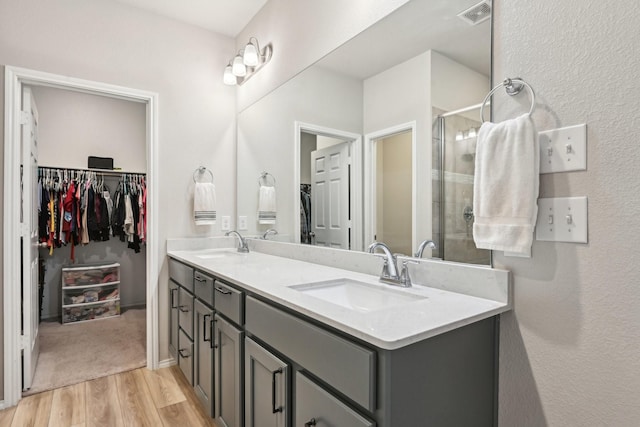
315 406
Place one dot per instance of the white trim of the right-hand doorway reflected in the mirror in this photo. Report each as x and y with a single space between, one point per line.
370 177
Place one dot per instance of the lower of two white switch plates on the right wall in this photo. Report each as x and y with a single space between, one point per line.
562 219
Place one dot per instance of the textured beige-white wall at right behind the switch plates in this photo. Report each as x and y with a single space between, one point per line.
569 350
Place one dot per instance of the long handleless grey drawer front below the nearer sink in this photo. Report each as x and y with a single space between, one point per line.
344 365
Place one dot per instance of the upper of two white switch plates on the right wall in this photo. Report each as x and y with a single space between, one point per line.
563 149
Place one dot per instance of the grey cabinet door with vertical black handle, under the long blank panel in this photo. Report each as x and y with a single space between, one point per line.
266 390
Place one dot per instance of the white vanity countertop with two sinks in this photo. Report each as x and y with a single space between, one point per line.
388 328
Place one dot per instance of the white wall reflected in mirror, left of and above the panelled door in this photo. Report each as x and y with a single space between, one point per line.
266 133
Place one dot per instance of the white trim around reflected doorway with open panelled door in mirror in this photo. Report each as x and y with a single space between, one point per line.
355 141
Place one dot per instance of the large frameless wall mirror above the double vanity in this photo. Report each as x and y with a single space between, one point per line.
376 141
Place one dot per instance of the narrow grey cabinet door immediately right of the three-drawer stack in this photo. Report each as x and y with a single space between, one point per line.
203 359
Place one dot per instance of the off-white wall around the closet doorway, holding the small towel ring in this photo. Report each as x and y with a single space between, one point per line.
113 43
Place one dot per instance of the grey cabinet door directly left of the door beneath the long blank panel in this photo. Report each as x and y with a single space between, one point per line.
228 371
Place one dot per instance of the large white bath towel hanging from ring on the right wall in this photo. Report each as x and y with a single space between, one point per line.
506 185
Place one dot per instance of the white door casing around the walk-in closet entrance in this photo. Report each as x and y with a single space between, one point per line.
15 77
